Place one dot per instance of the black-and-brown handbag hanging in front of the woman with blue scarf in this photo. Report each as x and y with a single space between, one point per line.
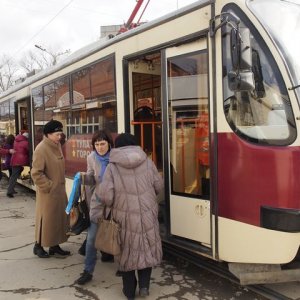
79 214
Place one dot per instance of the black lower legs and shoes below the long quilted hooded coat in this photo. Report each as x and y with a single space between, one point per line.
130 281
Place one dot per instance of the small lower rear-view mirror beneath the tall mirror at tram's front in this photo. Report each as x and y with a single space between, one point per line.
241 81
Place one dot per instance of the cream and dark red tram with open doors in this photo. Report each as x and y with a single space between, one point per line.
212 93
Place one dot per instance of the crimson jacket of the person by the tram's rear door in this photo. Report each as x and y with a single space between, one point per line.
21 156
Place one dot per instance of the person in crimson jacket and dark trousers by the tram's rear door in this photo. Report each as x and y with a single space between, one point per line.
19 159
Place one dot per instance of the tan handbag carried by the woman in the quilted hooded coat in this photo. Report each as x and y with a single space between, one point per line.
108 235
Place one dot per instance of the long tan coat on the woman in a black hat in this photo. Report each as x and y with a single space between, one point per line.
48 174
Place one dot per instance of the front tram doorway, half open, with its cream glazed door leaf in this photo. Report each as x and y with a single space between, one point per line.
176 137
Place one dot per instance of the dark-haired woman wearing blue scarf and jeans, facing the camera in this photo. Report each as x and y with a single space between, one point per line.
97 161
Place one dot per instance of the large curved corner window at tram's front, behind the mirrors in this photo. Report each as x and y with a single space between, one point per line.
262 115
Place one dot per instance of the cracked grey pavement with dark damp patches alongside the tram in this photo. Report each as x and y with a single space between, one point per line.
25 276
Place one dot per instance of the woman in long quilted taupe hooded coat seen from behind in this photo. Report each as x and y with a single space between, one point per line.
130 186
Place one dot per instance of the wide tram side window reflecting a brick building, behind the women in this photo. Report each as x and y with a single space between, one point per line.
92 106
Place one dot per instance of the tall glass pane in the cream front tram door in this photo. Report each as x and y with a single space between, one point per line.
189 124
